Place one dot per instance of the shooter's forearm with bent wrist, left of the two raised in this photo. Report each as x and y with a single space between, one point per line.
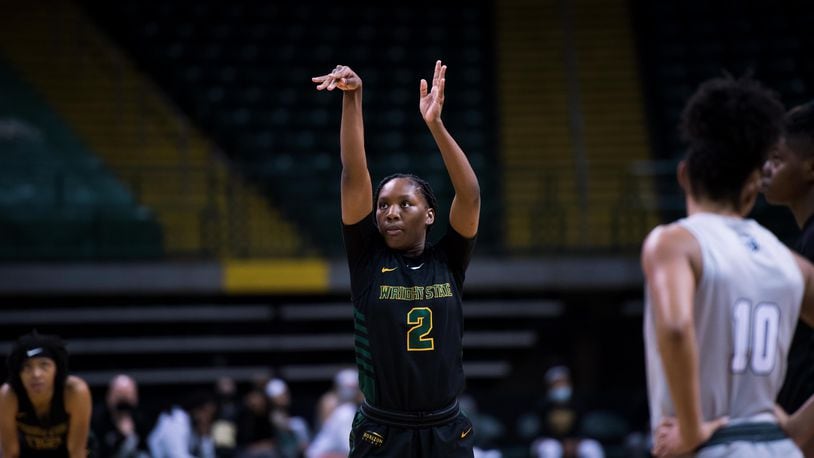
351 135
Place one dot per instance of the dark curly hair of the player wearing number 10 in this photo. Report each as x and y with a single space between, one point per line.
729 126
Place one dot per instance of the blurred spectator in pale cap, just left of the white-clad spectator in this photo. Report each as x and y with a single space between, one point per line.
293 434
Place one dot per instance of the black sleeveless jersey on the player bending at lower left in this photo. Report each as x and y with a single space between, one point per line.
42 438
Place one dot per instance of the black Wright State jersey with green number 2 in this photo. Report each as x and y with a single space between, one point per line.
408 318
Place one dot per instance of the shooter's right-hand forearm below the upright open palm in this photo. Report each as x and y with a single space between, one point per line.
460 171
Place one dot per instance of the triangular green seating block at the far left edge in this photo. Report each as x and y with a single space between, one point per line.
57 200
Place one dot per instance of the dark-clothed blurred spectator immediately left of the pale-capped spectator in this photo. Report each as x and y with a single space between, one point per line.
255 432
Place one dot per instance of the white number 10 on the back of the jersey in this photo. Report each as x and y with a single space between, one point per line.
755 331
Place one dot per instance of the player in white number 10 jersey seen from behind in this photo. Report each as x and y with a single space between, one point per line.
723 294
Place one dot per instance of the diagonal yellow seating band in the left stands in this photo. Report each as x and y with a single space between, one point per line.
205 209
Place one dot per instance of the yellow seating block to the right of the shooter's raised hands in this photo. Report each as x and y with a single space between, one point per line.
571 125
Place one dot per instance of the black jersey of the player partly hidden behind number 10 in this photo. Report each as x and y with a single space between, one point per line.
799 382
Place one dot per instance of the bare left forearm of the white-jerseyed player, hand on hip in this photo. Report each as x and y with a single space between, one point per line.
680 355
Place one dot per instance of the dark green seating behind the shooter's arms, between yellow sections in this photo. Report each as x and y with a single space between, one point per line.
242 71
